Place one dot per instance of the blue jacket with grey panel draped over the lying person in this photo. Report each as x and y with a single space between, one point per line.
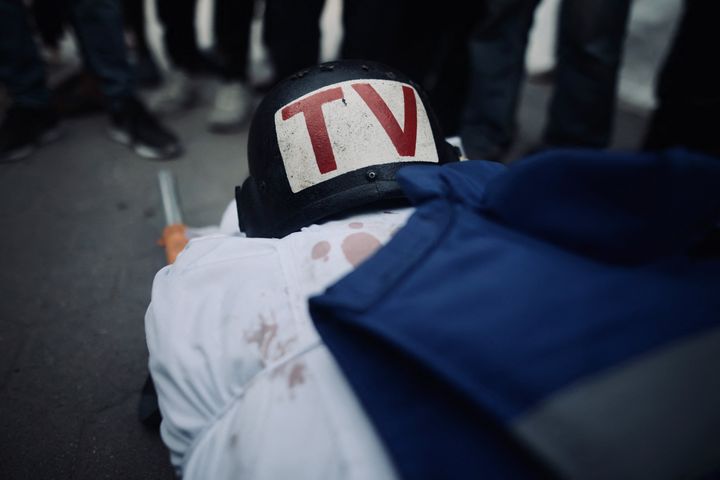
557 317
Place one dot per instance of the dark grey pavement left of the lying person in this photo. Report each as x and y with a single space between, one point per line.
77 256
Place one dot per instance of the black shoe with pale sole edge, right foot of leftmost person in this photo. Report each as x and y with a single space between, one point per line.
132 125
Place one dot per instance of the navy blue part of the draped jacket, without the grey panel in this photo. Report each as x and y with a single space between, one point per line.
508 285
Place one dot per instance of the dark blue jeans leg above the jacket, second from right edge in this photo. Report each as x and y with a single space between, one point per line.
591 34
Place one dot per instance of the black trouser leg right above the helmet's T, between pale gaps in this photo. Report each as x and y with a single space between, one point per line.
292 34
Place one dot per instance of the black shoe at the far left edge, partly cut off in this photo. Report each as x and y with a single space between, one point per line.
24 129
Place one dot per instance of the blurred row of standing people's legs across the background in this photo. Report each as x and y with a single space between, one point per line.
468 56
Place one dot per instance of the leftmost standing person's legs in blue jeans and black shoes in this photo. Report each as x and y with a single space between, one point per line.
31 121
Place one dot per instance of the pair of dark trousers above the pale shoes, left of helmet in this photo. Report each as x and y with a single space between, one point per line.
232 22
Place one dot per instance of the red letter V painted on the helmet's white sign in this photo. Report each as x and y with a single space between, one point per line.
403 139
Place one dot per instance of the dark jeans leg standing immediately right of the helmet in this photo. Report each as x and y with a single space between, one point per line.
497 68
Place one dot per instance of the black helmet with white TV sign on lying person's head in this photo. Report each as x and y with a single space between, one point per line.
329 139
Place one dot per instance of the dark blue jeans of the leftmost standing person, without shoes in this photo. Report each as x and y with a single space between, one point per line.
98 26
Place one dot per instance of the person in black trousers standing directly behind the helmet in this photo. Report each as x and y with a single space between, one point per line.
427 43
